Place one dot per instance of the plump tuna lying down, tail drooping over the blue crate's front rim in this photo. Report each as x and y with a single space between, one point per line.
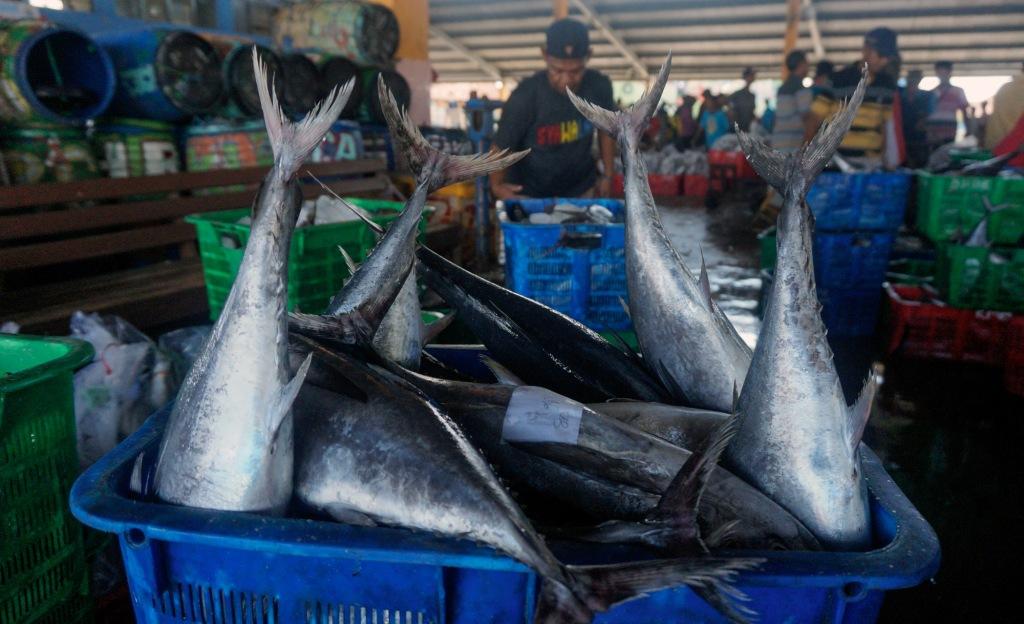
356 466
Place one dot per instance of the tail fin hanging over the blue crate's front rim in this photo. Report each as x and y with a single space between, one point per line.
606 587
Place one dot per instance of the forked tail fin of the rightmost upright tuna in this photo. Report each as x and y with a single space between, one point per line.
777 169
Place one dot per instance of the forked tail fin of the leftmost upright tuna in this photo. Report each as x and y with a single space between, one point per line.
292 143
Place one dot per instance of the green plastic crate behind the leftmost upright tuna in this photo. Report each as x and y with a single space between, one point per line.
316 268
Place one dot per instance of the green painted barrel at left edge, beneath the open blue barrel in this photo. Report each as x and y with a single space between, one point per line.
47 153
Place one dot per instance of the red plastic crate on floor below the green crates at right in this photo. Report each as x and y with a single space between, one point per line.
919 327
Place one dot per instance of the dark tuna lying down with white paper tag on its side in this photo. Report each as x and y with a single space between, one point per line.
613 452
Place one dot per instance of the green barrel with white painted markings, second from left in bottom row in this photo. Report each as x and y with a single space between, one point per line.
135 148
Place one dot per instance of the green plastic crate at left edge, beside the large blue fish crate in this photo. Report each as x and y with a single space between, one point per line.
42 565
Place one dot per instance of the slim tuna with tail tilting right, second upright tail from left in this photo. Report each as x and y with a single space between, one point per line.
356 314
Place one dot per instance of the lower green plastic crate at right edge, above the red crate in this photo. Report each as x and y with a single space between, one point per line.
977 278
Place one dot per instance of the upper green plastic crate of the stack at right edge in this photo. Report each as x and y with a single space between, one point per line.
951 206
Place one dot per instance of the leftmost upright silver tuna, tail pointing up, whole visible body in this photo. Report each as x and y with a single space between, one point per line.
229 439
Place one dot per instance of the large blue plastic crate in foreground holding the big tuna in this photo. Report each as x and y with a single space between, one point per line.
187 565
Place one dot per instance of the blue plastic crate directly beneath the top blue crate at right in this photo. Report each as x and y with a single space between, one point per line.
851 261
